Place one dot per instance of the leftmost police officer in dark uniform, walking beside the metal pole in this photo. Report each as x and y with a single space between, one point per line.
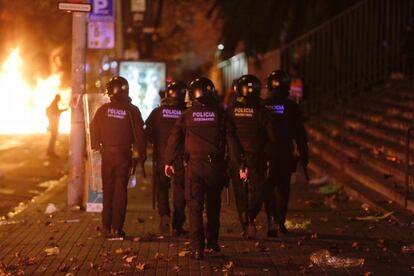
115 127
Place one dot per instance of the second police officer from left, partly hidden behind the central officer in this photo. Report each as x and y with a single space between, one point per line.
157 128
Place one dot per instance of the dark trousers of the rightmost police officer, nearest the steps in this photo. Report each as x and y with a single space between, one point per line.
277 191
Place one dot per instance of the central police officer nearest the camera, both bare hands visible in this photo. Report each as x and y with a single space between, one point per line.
207 133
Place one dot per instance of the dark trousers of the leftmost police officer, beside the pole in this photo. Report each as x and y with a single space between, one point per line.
115 173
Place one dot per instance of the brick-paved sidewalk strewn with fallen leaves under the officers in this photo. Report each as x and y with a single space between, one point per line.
317 222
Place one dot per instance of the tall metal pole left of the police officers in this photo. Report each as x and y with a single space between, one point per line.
77 135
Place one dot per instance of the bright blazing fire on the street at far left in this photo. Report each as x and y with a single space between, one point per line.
22 107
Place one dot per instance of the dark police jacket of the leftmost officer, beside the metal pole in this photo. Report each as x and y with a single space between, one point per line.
114 125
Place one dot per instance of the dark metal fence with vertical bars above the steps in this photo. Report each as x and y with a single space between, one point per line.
351 52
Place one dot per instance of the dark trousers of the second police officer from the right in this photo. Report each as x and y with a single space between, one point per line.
256 167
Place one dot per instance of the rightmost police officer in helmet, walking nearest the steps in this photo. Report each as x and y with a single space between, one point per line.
288 123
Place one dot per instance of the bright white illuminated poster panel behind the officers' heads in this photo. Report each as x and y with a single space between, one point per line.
146 80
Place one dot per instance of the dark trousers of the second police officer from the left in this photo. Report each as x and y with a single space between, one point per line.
163 185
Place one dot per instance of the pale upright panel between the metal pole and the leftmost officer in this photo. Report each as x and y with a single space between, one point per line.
91 102
